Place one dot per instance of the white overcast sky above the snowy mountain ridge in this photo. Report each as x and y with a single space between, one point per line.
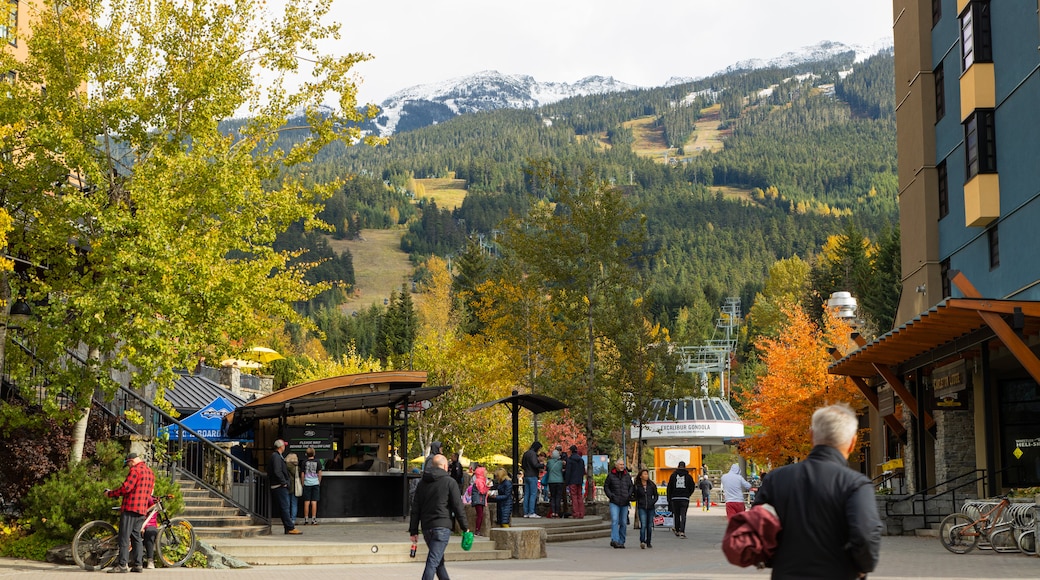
639 42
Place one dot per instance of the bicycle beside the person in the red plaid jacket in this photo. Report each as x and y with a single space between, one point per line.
96 544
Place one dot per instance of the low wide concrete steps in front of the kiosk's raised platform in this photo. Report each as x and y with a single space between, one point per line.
296 552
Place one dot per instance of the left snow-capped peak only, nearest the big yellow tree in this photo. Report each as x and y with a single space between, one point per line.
428 104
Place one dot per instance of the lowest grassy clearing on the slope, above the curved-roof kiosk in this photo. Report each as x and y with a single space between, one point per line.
380 267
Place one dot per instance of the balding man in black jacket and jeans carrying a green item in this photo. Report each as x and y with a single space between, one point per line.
437 502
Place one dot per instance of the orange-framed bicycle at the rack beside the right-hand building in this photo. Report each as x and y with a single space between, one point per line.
960 534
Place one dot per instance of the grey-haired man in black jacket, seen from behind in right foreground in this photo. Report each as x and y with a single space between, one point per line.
831 528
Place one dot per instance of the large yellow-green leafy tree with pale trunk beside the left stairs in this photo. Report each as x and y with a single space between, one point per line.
150 226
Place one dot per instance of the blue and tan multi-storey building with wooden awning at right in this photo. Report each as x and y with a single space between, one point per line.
954 387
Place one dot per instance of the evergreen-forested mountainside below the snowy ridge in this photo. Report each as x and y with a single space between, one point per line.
815 145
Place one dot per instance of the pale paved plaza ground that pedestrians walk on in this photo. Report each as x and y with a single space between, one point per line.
698 558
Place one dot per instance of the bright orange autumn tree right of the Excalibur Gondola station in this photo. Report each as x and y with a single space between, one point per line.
778 411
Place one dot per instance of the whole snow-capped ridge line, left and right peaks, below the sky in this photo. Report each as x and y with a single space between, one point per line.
429 104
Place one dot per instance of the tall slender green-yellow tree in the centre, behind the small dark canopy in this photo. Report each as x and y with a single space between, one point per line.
583 250
